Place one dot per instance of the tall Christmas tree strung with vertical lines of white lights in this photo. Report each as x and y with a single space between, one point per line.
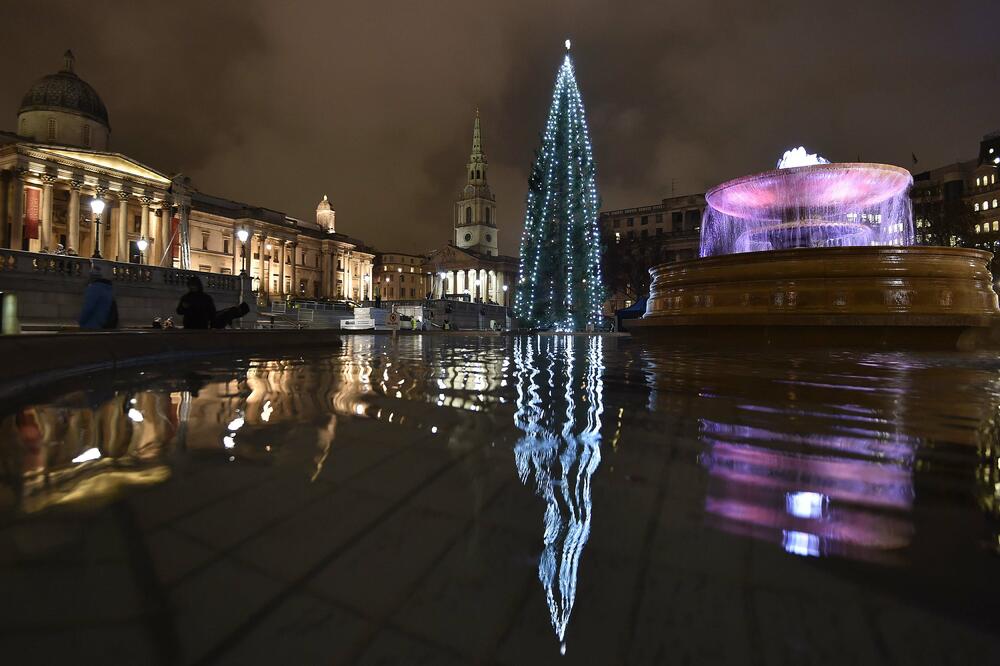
559 280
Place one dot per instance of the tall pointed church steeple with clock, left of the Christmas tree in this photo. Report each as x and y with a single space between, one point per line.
476 209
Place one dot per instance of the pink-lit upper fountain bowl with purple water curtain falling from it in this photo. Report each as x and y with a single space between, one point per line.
820 205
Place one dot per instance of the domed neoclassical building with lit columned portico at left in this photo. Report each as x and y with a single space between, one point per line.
58 161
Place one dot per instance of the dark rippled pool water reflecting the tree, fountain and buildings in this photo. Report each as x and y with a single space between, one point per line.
466 499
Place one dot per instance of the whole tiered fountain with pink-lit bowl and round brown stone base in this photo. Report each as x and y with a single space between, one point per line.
821 254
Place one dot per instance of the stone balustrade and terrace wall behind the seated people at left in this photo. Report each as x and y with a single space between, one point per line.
50 288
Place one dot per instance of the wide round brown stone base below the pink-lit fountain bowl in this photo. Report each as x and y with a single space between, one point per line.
889 297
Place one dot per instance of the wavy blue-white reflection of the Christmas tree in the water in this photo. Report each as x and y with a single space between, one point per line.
562 451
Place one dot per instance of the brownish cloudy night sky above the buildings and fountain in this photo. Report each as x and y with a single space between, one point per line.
277 103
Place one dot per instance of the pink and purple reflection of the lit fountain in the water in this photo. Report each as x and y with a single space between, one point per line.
849 497
